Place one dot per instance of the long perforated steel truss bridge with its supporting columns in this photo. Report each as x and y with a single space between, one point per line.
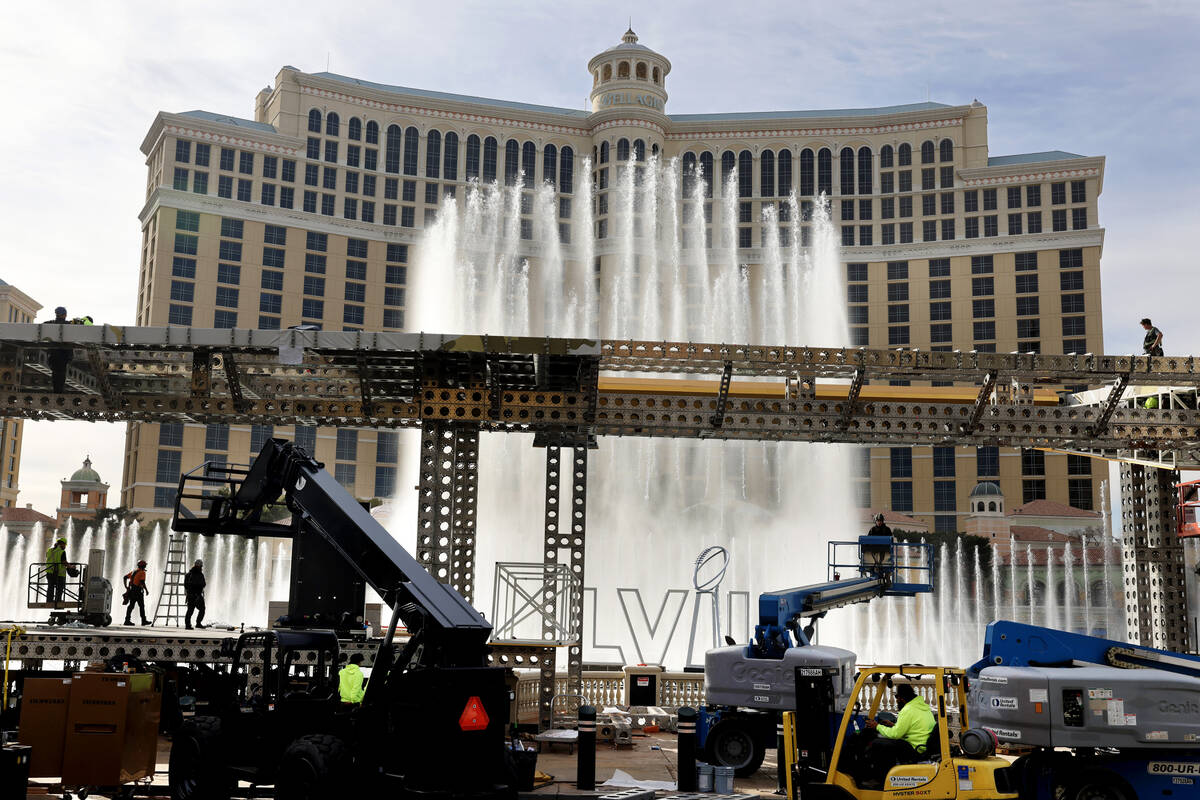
455 387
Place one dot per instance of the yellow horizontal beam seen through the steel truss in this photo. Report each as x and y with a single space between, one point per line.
775 390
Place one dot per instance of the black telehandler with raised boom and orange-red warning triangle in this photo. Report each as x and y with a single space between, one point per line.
433 723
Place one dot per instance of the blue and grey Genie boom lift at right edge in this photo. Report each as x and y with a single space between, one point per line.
1107 720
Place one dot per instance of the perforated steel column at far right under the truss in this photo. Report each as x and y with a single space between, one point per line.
1155 585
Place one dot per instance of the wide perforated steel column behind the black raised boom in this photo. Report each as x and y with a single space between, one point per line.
446 509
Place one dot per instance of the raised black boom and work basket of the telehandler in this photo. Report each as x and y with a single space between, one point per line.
446 629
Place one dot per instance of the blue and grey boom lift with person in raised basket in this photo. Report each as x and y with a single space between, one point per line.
748 687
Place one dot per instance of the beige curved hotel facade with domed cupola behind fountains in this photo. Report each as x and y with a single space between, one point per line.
313 213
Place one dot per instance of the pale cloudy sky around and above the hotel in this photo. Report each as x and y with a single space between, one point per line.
85 81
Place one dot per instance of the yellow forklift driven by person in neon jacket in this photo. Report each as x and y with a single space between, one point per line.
818 742
